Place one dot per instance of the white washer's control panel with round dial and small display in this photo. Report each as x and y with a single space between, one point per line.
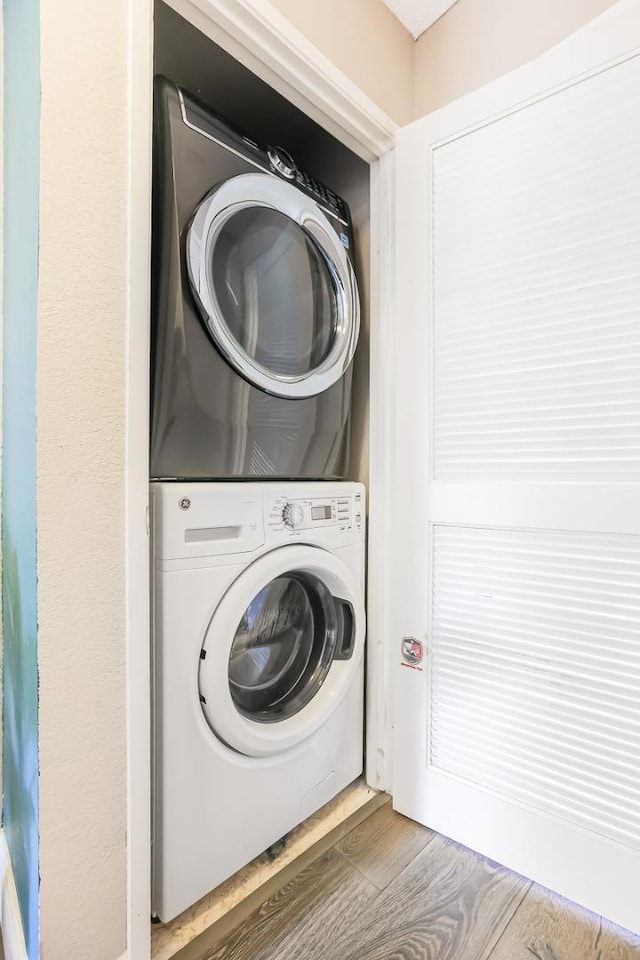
293 514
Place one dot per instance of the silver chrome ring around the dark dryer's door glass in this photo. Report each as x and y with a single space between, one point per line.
250 191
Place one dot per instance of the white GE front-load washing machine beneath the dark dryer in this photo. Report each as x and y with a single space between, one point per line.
259 629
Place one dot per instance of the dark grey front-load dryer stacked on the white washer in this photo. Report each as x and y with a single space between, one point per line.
255 309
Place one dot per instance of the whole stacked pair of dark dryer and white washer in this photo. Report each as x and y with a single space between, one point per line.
258 541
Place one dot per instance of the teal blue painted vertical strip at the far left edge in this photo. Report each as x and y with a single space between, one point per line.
20 306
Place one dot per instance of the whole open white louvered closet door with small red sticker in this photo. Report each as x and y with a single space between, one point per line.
518 469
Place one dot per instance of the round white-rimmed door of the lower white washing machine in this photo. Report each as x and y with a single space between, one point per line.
281 650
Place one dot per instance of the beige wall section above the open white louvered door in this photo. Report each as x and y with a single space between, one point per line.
479 40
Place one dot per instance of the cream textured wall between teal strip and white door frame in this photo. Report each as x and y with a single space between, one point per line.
80 478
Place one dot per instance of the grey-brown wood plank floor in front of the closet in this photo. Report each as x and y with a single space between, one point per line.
393 890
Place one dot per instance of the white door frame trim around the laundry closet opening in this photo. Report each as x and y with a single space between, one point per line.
257 35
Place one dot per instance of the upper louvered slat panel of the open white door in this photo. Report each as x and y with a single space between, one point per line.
550 216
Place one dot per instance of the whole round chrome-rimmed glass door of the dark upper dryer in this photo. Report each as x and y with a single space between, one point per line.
274 285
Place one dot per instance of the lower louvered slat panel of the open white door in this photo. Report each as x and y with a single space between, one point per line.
487 585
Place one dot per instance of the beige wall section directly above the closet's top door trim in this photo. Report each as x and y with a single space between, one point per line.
366 41
